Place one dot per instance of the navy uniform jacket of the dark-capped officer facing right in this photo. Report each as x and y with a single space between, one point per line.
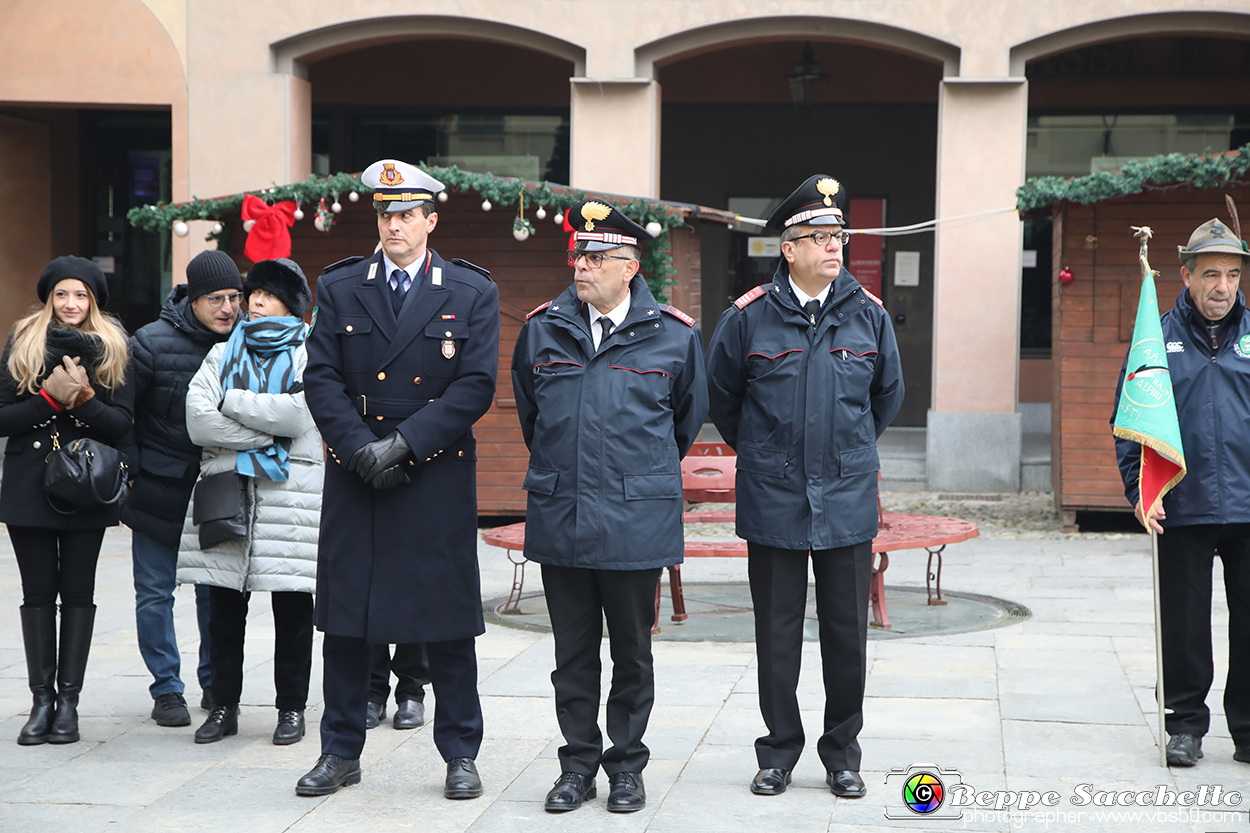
803 410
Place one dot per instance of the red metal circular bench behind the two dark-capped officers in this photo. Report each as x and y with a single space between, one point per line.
708 477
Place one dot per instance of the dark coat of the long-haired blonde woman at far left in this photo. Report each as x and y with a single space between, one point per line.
29 422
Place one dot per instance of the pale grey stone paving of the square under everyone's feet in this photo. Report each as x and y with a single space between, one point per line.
1062 700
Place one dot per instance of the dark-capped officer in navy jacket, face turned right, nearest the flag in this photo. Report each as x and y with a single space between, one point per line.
804 377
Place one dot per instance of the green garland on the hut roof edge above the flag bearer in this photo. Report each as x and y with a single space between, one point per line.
1171 171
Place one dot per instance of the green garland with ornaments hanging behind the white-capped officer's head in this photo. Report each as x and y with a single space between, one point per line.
496 191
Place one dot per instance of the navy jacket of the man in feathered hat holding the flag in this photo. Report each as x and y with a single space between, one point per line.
1212 388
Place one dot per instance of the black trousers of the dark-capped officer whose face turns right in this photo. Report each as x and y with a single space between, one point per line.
779 592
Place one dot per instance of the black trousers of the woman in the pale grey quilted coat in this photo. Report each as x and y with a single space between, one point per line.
293 646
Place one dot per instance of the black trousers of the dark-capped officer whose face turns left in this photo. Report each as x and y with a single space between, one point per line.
578 602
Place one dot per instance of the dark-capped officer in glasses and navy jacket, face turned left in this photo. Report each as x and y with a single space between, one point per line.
612 393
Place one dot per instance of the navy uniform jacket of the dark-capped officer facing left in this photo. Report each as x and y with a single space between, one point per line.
607 432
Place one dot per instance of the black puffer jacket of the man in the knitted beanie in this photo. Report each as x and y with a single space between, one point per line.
166 357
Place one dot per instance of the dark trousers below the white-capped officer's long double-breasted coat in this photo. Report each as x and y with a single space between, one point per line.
453 675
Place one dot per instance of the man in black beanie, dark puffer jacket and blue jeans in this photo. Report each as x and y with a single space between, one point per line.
166 463
